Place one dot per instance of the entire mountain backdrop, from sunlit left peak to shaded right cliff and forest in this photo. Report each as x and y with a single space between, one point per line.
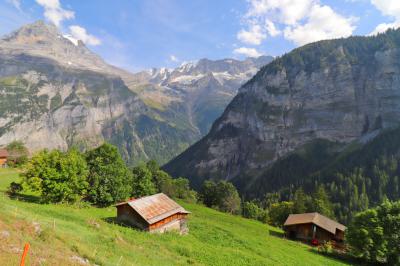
324 115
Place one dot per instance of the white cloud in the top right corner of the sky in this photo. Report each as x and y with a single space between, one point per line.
389 8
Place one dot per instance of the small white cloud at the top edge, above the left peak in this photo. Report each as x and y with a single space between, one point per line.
54 12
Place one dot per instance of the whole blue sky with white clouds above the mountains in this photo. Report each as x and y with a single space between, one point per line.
140 34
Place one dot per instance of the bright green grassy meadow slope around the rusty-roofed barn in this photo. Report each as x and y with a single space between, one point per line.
62 235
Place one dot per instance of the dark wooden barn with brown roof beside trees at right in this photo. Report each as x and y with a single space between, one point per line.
313 227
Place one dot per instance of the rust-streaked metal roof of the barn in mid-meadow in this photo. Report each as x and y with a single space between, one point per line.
155 208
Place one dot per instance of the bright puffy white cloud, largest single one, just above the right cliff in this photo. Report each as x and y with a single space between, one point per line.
322 23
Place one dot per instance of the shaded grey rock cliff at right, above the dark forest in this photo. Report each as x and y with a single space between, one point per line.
338 91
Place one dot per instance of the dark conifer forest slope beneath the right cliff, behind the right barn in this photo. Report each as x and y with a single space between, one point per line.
355 176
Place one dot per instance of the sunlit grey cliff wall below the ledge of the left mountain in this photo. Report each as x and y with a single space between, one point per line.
48 106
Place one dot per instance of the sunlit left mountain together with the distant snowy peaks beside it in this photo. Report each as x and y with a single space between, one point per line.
55 93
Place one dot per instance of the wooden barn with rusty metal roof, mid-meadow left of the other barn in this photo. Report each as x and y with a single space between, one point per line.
156 213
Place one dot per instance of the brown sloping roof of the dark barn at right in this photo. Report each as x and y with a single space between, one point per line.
315 218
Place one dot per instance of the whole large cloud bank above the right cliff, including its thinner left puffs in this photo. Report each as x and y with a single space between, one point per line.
301 21
